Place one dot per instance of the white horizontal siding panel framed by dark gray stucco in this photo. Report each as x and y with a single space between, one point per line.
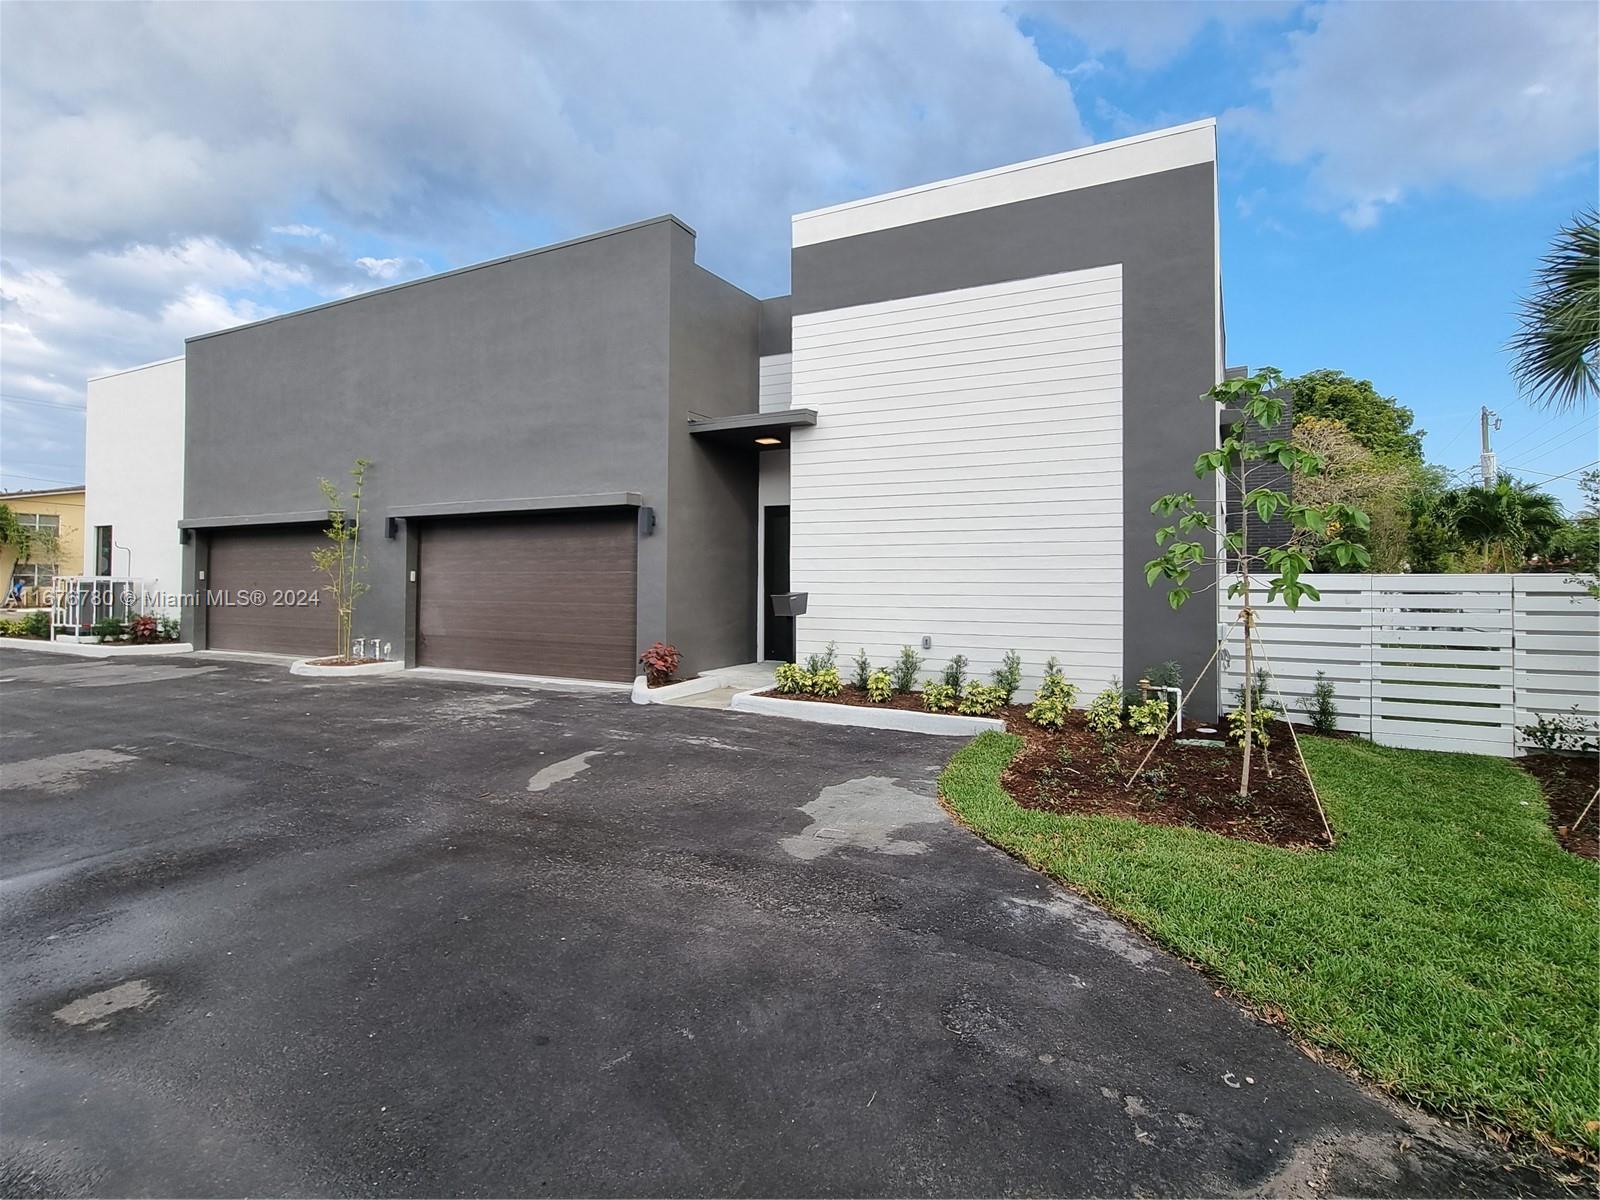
964 481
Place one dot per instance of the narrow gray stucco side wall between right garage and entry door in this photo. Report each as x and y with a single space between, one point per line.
711 487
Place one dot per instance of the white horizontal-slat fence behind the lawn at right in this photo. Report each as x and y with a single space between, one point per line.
1433 662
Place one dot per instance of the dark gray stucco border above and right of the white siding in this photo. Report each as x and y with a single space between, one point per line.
1162 231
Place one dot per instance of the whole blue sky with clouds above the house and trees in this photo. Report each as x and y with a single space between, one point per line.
1390 172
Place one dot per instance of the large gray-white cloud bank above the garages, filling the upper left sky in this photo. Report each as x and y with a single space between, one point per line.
162 161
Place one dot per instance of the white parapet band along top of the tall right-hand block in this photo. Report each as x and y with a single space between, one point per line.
1087 167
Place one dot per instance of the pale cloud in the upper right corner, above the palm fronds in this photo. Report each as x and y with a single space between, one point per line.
1386 100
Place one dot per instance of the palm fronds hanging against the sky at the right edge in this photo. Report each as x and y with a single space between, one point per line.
1556 354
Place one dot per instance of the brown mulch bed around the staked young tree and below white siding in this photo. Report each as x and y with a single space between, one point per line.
1074 770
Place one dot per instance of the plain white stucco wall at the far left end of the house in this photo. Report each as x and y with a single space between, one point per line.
134 470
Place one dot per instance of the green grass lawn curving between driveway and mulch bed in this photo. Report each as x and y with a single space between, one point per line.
1447 945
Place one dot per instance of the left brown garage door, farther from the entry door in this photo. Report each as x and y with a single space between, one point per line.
266 577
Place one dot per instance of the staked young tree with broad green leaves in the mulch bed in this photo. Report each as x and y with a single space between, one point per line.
1242 452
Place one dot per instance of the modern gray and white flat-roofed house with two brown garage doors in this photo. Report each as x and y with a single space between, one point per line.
948 438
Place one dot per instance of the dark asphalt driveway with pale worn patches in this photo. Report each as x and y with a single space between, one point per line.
268 935
